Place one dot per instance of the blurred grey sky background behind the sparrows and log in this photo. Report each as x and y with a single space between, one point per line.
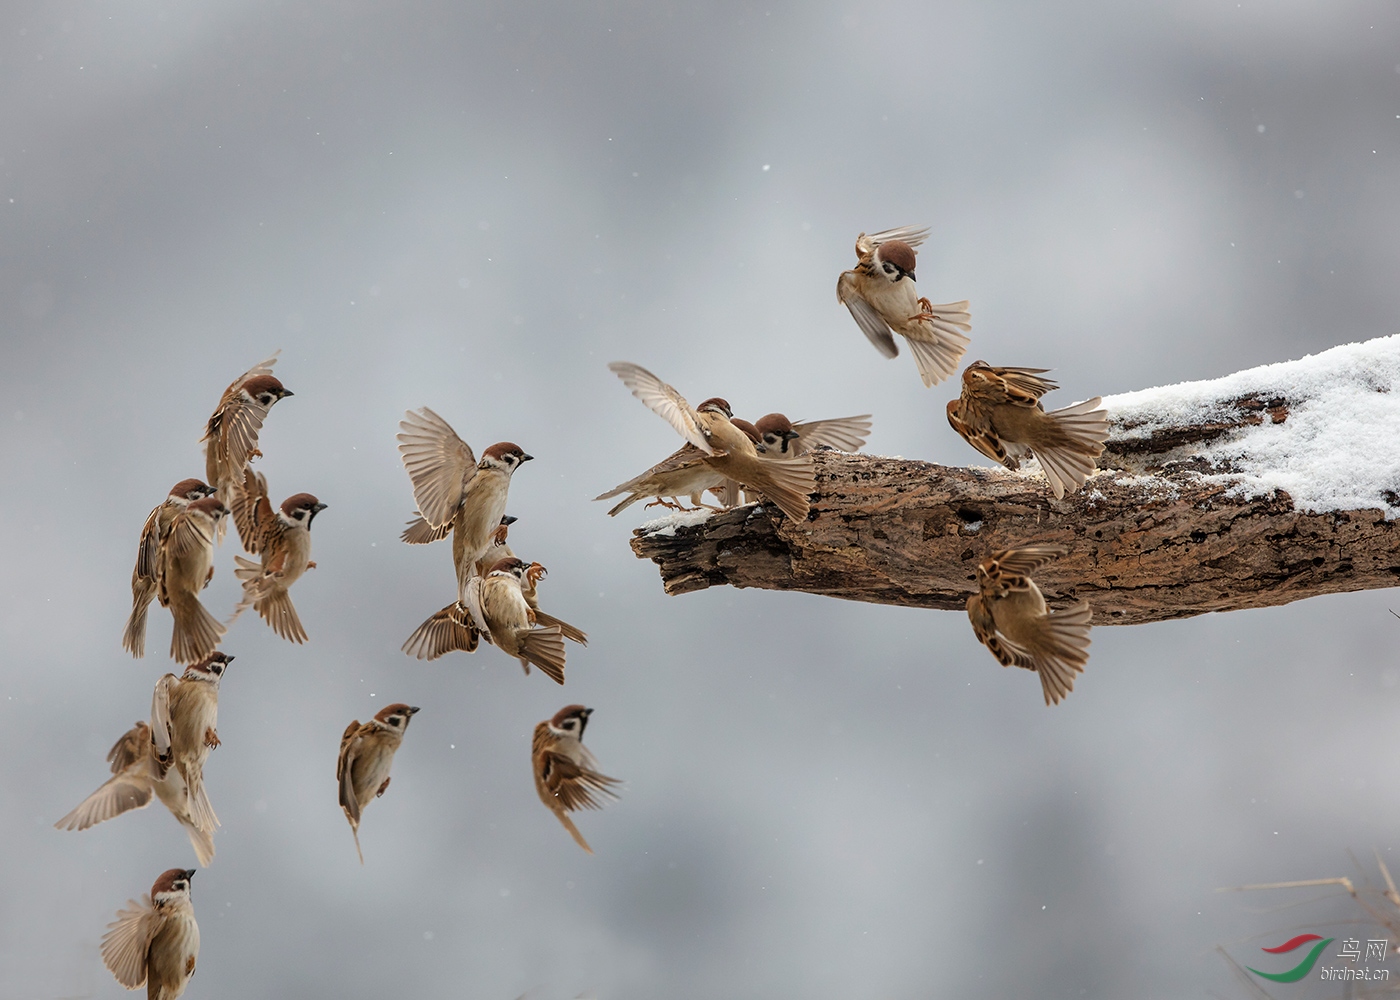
477 208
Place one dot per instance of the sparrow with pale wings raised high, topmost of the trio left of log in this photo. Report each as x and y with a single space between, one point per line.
456 494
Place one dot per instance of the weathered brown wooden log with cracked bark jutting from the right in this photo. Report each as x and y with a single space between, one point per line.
1174 530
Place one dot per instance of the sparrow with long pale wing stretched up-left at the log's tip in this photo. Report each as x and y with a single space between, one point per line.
727 449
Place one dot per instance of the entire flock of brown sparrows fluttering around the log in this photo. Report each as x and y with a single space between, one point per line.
156 942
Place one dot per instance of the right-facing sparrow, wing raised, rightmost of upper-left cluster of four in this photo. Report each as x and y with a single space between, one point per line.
283 541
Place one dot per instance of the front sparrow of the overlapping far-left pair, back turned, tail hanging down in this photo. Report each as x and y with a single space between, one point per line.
184 568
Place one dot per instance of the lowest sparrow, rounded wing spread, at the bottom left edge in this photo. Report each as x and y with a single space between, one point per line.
156 942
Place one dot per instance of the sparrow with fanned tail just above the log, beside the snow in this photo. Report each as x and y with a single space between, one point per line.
1000 415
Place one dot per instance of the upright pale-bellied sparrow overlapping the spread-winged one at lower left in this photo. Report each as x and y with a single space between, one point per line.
185 728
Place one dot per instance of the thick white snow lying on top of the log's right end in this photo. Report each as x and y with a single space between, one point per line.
1339 447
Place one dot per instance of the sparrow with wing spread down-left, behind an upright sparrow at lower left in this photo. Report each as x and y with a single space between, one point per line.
138 777
